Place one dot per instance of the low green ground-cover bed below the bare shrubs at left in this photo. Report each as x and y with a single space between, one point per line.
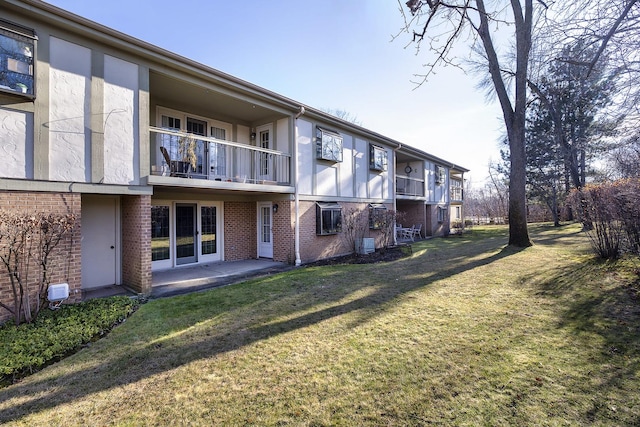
57 333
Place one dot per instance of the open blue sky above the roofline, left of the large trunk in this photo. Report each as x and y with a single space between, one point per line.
329 54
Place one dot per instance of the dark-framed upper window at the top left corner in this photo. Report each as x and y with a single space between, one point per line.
17 53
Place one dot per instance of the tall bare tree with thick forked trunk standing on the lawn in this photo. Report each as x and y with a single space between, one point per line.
461 20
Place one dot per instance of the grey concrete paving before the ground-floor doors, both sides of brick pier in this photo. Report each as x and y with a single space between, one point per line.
181 280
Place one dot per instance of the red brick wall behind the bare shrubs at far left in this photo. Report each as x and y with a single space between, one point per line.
65 264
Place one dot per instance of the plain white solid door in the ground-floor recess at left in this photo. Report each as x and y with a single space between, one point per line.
99 241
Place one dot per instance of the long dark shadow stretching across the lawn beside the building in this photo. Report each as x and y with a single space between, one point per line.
334 283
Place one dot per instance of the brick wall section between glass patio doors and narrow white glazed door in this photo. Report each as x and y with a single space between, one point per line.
240 233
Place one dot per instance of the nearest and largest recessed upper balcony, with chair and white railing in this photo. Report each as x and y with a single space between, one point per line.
206 133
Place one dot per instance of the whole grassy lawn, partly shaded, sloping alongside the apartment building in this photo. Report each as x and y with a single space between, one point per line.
464 332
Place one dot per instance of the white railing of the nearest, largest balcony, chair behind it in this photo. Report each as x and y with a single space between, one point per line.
185 155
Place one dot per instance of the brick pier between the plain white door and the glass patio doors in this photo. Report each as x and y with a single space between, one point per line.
136 243
